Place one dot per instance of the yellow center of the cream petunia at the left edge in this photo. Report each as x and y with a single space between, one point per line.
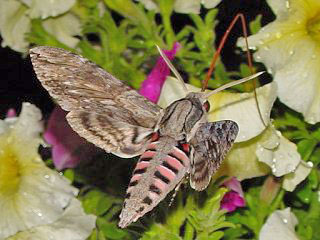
9 171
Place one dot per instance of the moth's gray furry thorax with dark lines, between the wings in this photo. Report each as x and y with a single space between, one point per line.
181 118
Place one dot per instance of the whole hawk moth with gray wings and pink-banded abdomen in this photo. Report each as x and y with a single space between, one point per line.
173 142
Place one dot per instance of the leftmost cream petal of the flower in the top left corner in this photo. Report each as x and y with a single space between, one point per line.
14 24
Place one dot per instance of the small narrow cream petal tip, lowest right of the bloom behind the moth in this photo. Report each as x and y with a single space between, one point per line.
291 180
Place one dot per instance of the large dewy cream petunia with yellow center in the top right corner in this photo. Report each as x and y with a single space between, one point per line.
290 48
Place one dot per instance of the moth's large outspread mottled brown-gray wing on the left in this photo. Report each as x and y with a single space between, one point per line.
102 108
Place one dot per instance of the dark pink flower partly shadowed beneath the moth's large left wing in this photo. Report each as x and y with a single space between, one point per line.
68 148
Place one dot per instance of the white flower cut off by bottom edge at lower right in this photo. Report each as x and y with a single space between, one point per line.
279 225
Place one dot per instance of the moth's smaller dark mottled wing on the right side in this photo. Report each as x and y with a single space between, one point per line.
210 144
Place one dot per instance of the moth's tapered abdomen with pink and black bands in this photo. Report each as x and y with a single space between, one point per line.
160 168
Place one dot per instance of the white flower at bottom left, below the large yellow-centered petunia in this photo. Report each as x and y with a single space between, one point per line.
74 224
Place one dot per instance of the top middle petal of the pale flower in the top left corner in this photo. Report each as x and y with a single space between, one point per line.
48 8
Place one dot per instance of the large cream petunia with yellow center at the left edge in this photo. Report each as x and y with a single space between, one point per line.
31 194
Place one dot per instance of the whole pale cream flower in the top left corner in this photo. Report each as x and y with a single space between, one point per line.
16 16
